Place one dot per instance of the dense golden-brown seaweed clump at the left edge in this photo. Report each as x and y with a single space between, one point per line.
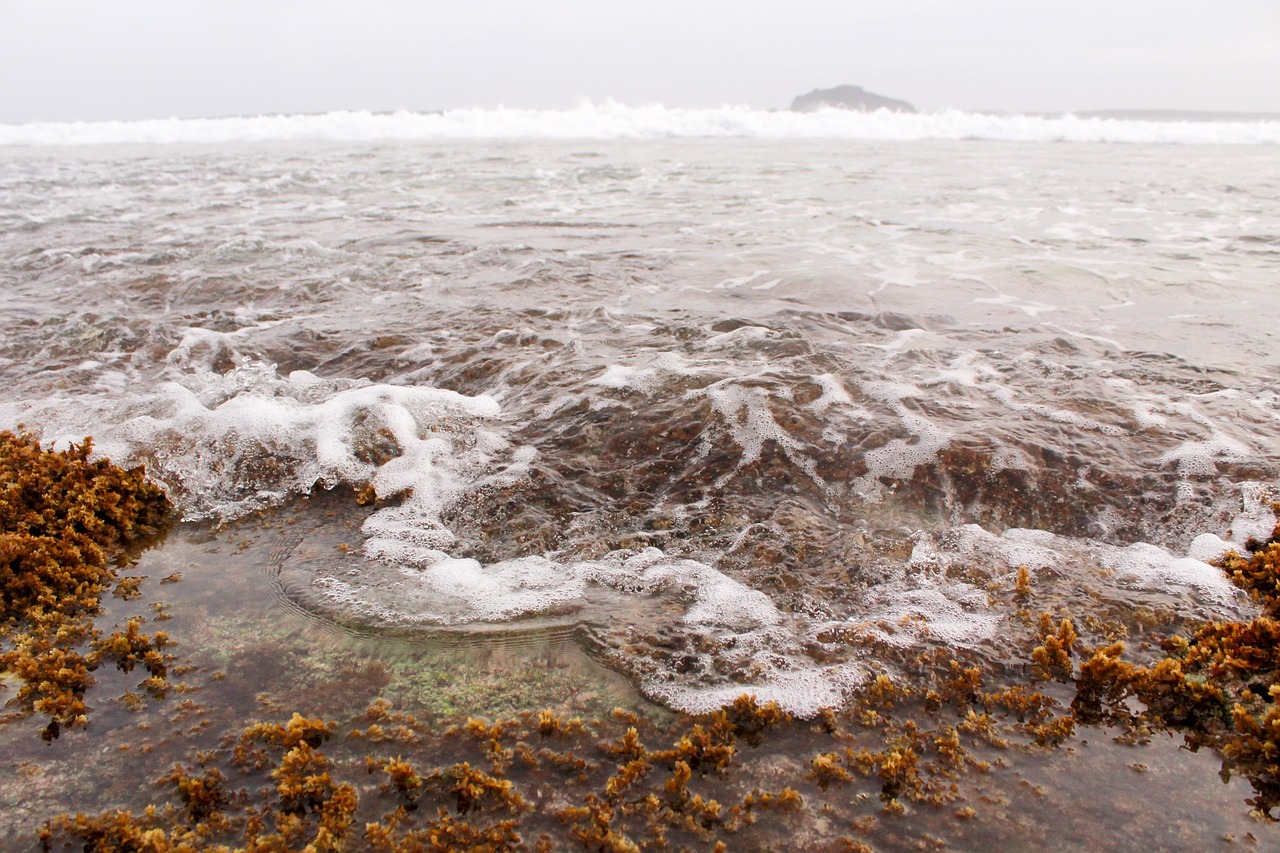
63 518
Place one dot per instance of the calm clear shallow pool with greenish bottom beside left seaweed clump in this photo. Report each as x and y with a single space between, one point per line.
245 653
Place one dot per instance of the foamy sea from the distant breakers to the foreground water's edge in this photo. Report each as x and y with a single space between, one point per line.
720 402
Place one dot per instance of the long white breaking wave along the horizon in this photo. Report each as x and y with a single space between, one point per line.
614 121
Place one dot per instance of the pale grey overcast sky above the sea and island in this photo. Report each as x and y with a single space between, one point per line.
129 60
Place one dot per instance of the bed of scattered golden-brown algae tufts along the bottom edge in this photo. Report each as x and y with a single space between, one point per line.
900 764
